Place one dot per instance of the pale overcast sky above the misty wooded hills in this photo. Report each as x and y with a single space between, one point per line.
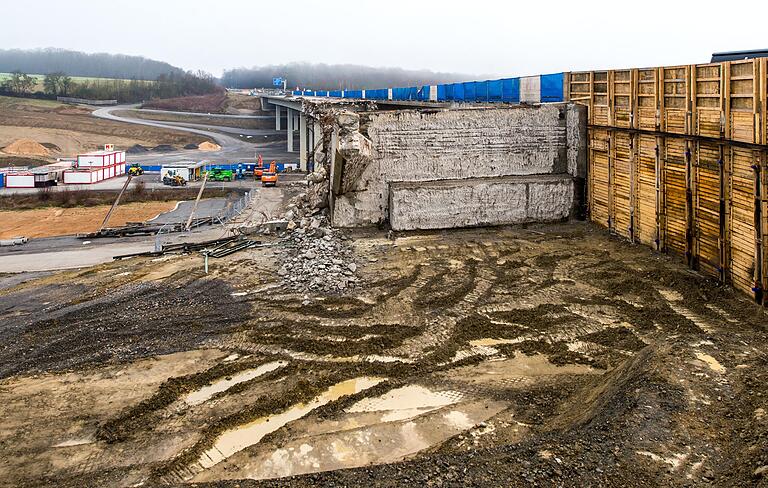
503 38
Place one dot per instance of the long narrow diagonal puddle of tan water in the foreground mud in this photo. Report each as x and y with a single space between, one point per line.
233 441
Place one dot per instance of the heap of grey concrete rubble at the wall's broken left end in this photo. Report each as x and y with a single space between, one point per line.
318 258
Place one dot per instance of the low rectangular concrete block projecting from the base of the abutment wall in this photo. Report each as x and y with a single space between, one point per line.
480 201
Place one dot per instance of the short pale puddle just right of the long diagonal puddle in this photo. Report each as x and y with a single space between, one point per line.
406 402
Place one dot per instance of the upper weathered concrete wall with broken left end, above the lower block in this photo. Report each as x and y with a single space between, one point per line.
452 145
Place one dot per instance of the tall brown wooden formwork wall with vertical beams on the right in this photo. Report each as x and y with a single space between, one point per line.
678 162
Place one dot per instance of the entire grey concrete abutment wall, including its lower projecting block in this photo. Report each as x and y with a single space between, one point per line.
428 169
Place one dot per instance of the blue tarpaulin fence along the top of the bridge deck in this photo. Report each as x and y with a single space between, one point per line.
505 90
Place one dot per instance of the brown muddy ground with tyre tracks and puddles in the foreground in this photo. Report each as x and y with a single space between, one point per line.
549 356
